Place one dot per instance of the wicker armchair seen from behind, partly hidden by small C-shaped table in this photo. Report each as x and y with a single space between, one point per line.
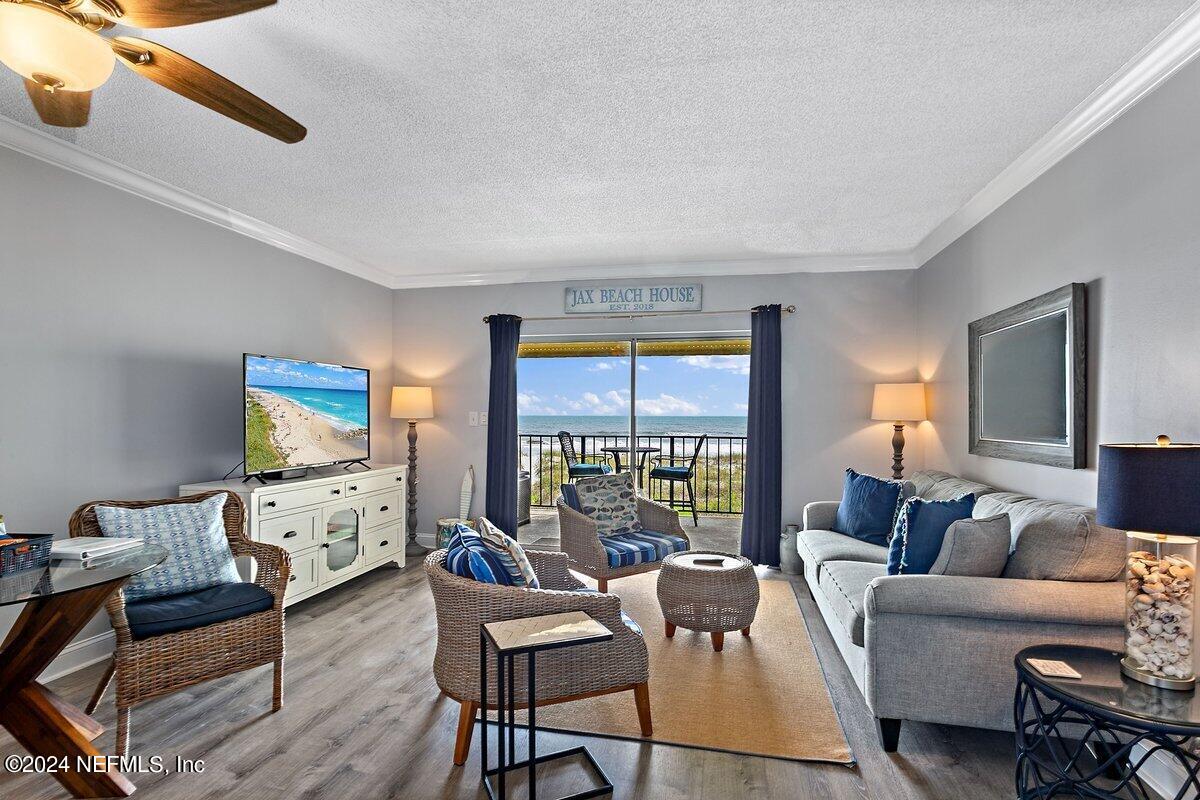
574 673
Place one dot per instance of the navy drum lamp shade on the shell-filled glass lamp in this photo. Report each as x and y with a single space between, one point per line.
1150 488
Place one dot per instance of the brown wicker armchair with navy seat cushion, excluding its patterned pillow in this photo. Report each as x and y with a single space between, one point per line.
166 645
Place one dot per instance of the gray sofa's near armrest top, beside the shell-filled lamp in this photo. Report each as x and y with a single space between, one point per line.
1070 603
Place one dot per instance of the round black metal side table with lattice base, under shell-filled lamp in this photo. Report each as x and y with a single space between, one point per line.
1090 737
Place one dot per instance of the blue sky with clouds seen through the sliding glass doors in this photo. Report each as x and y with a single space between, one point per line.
698 386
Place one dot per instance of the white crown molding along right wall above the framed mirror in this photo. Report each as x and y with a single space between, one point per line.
1166 56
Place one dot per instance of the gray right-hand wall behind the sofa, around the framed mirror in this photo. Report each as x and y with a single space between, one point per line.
1121 215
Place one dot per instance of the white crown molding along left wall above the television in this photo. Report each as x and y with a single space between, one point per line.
71 157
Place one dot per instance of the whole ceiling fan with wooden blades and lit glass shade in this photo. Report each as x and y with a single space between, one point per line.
56 46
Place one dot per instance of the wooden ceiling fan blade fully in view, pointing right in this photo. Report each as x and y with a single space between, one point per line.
185 77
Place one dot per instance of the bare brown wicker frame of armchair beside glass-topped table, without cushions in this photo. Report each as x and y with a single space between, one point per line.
163 665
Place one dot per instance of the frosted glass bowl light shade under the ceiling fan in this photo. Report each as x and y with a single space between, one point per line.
38 44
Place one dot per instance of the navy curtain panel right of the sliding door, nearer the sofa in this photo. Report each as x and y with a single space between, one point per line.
763 513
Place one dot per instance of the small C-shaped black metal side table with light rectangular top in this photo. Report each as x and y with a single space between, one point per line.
529 636
